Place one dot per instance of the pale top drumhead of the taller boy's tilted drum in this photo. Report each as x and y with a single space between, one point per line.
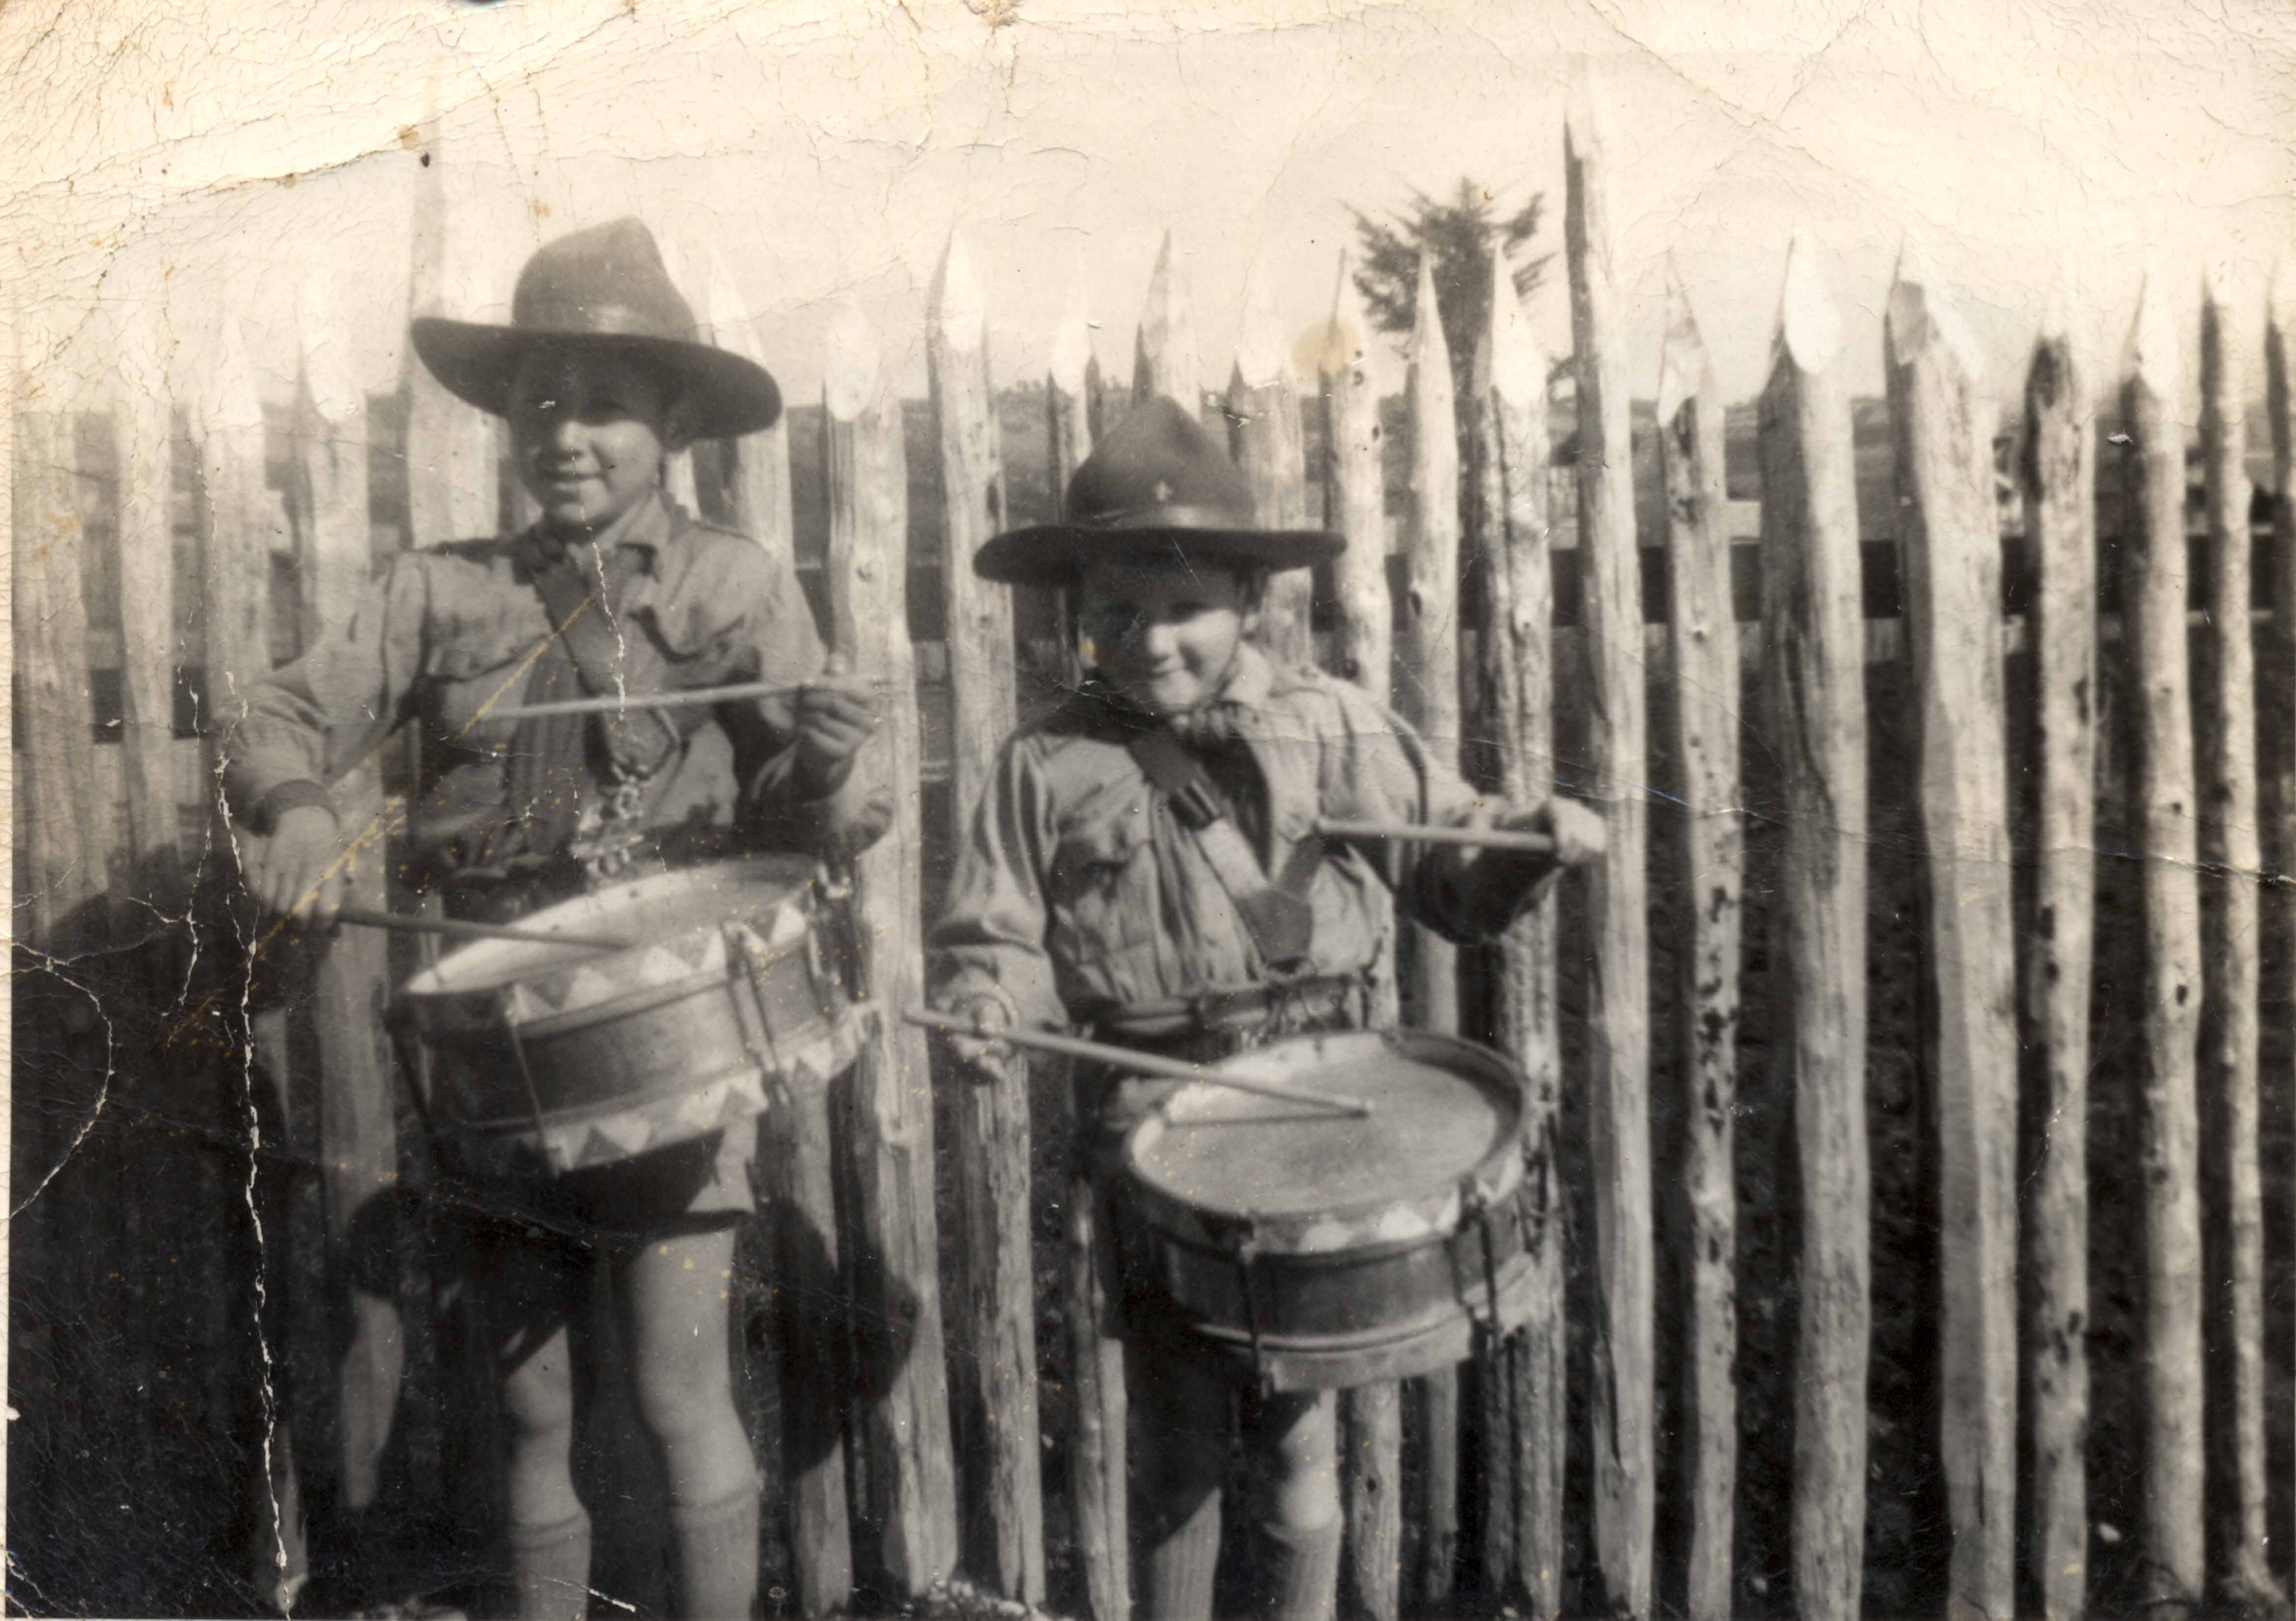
646 913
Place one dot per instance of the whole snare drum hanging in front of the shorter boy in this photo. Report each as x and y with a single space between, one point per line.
1324 1250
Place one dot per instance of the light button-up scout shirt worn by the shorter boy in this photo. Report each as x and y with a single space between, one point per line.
1078 892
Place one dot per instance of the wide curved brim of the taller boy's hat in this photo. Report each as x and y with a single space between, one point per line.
724 394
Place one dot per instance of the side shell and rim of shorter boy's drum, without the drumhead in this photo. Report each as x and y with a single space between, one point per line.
1328 1301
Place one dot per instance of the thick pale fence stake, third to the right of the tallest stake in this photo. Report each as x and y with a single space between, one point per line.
1950 557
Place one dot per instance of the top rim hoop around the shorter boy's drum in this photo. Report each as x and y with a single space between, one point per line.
1494 1177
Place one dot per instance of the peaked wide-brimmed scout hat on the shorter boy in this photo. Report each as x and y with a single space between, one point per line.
1156 486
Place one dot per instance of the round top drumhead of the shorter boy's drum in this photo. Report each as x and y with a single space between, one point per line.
1445 1117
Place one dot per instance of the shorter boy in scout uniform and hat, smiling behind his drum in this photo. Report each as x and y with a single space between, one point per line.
1145 867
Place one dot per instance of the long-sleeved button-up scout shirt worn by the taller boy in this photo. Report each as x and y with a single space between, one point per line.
449 633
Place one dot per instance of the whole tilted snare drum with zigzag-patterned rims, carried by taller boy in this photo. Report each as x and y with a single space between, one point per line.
566 1057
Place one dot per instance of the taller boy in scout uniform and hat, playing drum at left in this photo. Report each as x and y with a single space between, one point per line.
614 589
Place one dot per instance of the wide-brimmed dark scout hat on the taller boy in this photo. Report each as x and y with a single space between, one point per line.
603 288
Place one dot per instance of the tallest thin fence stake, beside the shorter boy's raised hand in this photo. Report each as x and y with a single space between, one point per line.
1620 972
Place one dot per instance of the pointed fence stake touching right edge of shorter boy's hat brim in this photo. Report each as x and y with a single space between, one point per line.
1372 1427
